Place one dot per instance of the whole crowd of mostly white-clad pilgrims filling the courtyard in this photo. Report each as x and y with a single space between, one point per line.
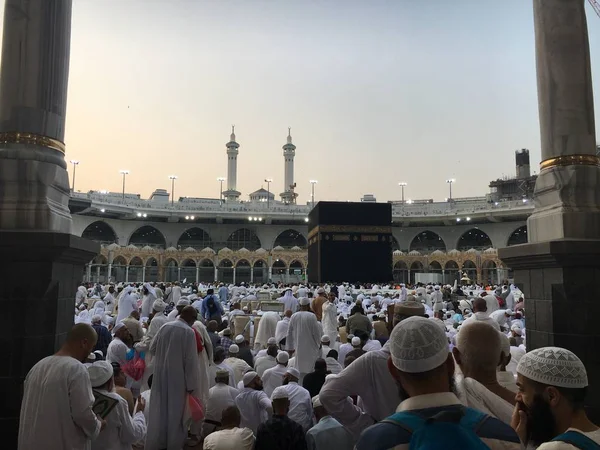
339 367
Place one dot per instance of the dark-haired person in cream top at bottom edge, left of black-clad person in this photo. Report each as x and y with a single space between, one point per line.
230 436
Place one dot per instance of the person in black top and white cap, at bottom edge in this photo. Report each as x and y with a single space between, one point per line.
280 432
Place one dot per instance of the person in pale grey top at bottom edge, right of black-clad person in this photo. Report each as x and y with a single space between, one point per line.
328 433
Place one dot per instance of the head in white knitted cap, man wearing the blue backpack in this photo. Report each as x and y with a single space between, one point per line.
419 358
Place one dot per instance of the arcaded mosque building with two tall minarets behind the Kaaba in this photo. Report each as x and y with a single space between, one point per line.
264 238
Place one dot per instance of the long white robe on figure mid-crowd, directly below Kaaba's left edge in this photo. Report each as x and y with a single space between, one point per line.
304 336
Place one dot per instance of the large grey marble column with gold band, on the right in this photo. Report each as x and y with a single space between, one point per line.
558 270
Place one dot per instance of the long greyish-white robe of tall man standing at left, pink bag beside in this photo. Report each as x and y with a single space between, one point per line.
175 374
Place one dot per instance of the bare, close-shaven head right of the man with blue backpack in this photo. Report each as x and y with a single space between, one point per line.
477 349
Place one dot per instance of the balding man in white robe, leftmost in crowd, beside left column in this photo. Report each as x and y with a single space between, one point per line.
56 410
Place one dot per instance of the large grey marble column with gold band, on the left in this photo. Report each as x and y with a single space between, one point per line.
41 261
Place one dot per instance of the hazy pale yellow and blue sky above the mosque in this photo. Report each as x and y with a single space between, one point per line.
376 92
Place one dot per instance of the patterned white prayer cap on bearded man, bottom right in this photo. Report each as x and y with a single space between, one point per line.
553 366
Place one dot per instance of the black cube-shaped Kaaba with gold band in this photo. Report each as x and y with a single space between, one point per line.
350 242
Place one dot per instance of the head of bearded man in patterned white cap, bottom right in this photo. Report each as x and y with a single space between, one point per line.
552 385
